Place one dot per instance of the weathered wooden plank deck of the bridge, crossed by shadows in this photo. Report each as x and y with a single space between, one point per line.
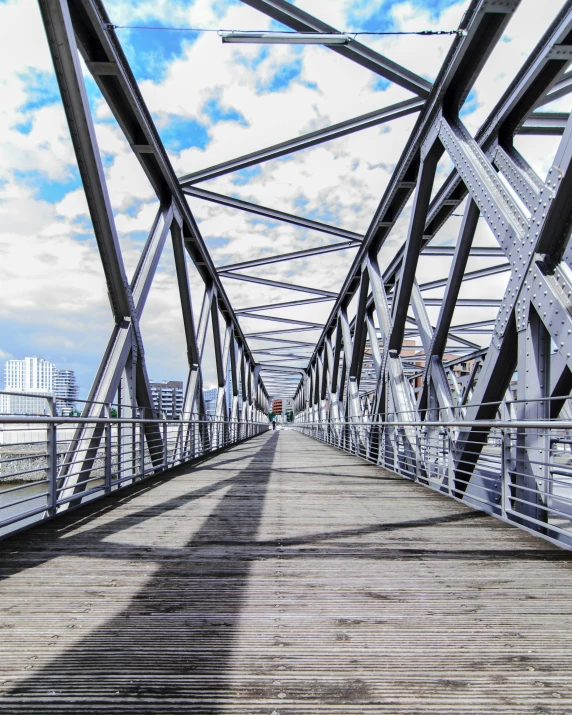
283 576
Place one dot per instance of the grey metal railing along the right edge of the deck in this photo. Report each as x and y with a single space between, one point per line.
518 471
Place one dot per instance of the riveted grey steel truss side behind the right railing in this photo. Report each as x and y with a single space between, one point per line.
532 232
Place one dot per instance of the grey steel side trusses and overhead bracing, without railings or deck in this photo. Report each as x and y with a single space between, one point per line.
383 359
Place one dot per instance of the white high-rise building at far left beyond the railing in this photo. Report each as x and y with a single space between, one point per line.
31 375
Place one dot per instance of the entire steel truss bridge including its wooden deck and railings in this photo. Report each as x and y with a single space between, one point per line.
231 569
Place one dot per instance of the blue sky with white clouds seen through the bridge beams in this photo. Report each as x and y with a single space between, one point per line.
212 102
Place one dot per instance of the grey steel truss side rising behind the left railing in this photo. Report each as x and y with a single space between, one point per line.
83 25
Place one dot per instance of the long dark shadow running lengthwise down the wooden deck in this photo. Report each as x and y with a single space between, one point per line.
173 644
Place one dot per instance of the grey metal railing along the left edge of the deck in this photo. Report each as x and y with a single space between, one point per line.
45 469
